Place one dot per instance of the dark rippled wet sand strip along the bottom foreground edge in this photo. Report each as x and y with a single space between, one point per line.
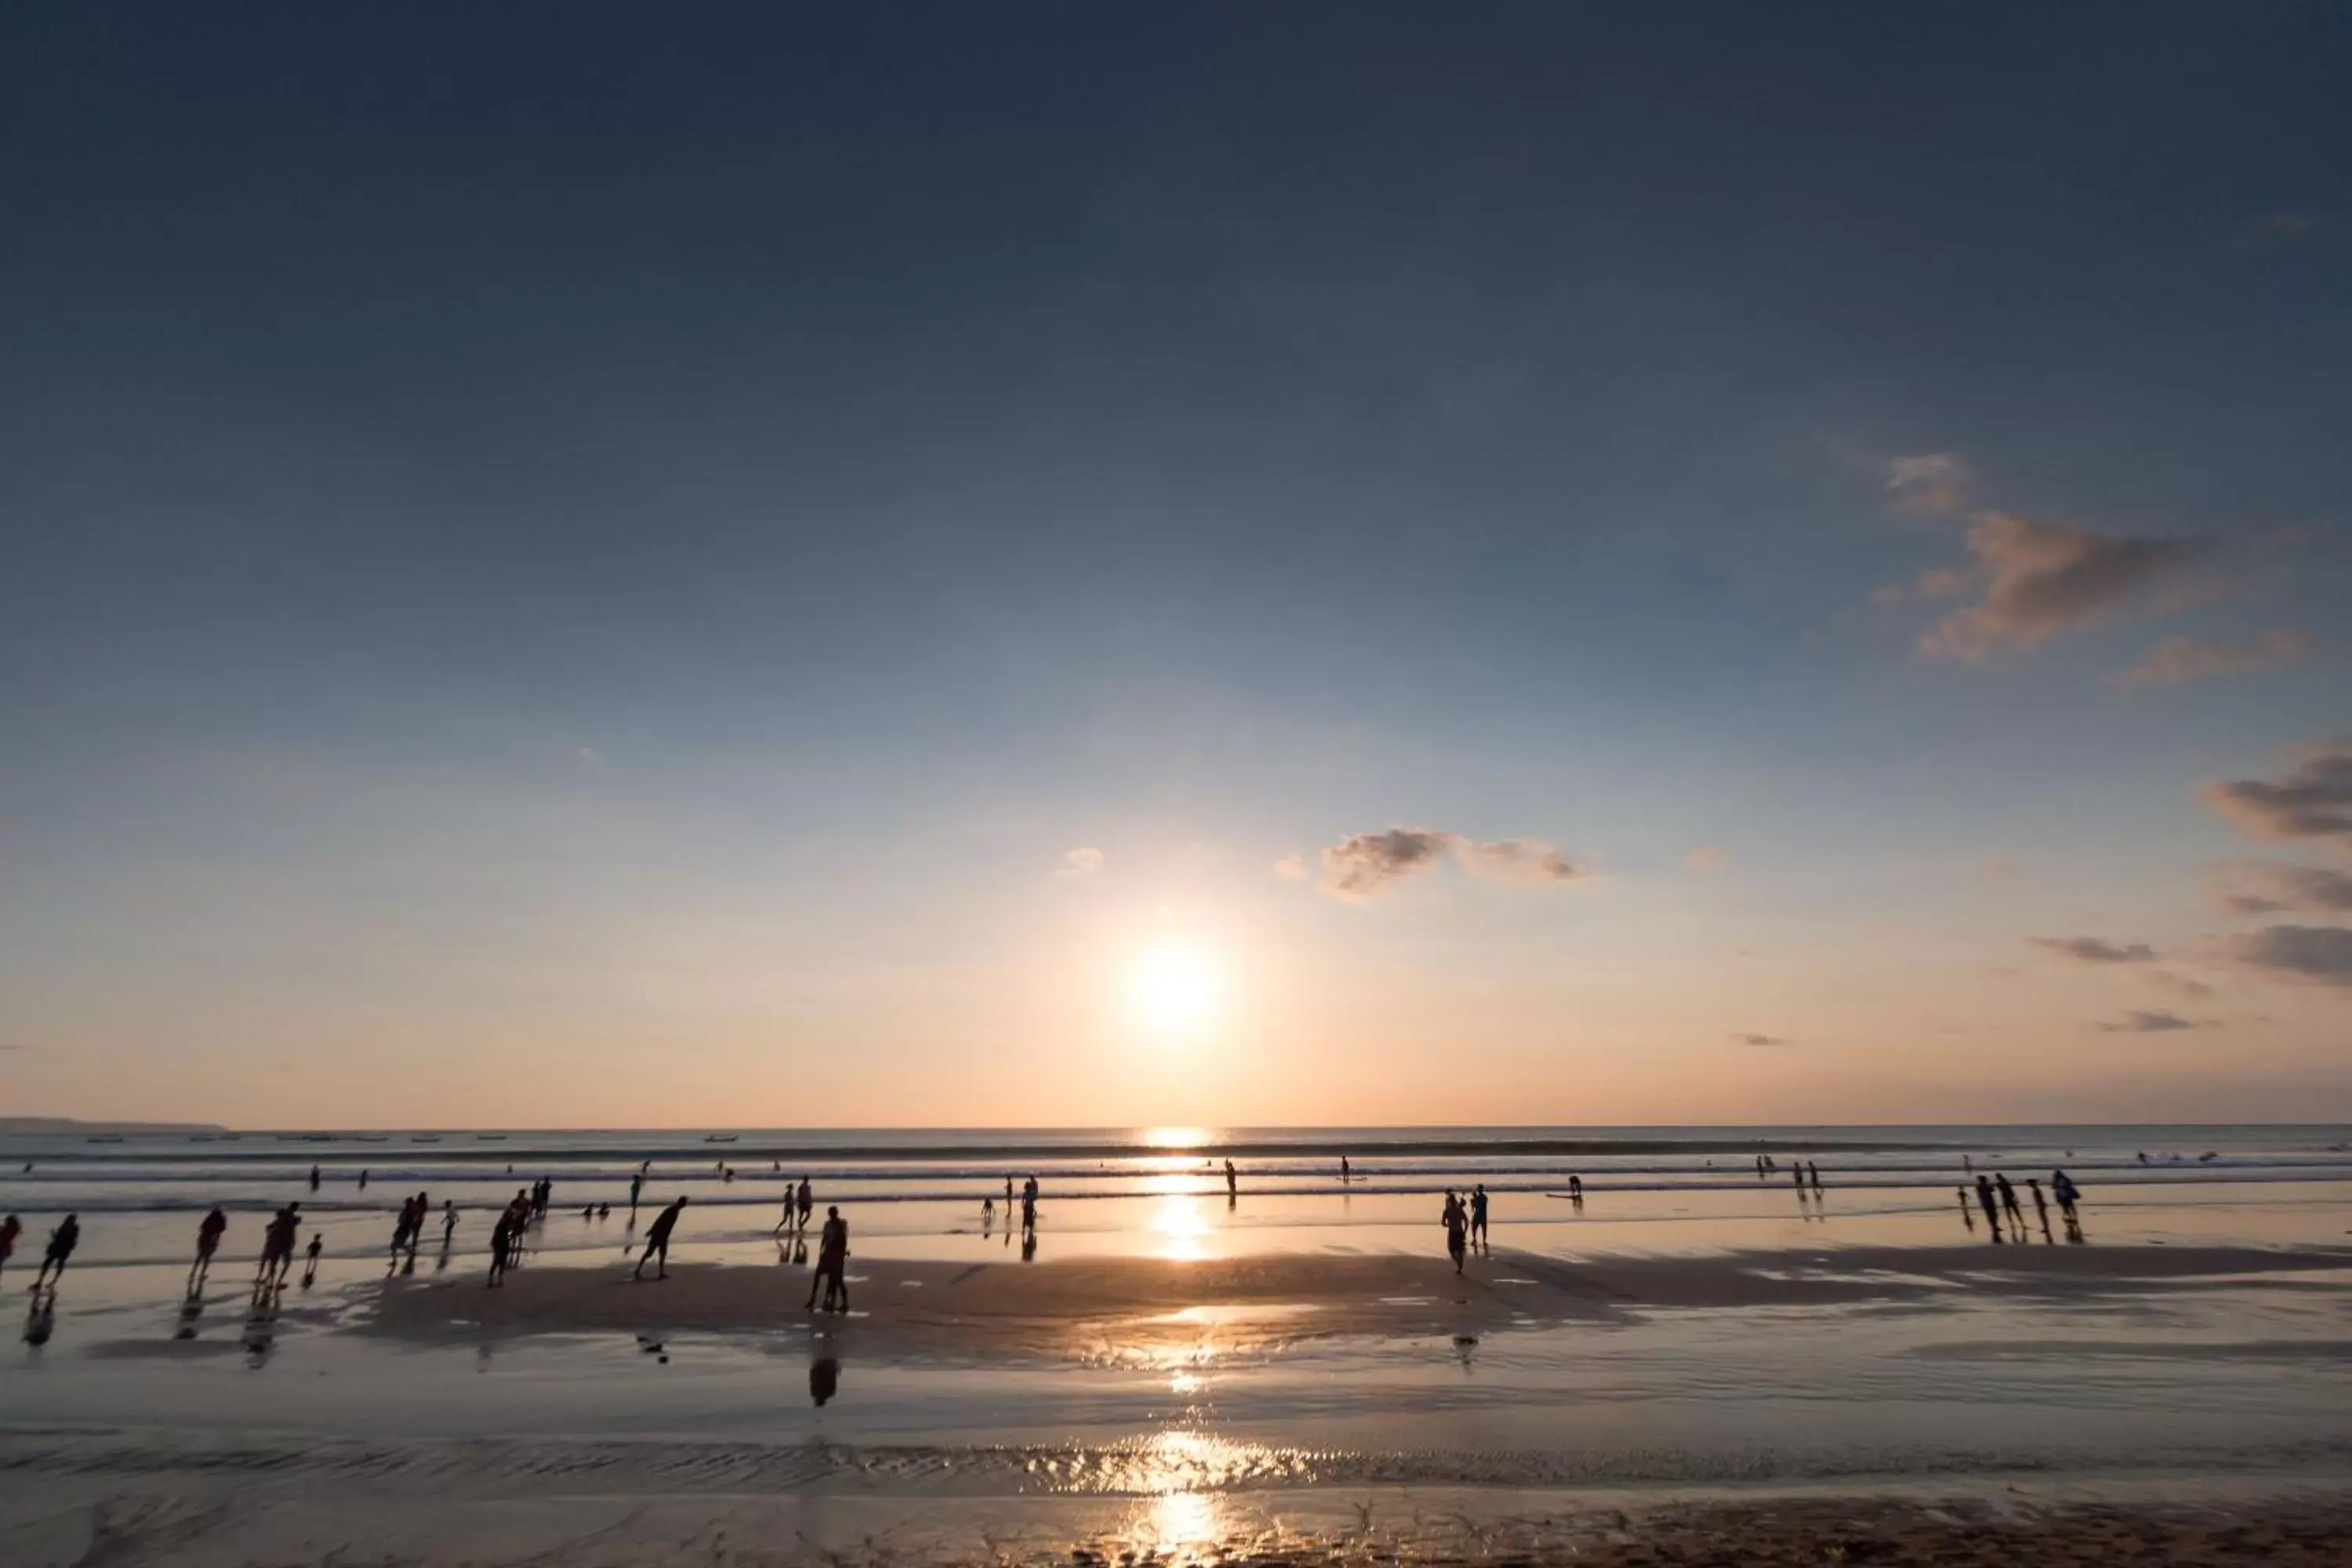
2007 1529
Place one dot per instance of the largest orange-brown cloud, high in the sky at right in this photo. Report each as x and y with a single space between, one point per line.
2043 579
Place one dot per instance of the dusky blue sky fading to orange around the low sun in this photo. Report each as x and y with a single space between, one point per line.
1060 565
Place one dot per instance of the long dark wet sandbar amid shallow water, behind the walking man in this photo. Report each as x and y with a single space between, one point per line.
1076 1308
